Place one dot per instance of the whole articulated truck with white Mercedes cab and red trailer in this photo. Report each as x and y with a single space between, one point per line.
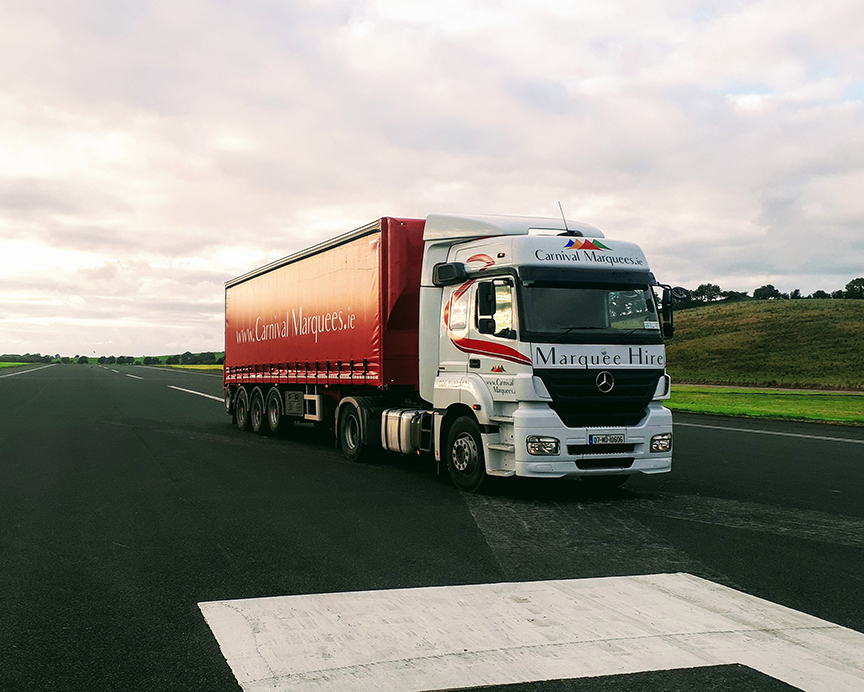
502 345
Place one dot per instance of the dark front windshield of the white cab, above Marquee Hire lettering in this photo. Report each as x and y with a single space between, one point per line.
589 313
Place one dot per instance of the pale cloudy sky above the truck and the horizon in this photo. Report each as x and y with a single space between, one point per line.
150 151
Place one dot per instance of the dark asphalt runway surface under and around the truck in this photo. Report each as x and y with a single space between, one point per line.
124 502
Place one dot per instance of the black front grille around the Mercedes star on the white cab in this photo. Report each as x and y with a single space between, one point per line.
579 404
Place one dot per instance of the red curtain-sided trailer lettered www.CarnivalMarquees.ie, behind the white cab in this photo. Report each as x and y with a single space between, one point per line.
341 316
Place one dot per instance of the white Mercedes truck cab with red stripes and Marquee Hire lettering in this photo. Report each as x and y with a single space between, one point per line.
541 351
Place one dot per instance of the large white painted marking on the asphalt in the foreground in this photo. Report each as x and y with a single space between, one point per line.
412 640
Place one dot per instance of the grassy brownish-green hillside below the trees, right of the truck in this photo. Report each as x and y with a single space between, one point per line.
807 344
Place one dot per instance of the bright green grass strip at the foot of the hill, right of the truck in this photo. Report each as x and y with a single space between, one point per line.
826 407
